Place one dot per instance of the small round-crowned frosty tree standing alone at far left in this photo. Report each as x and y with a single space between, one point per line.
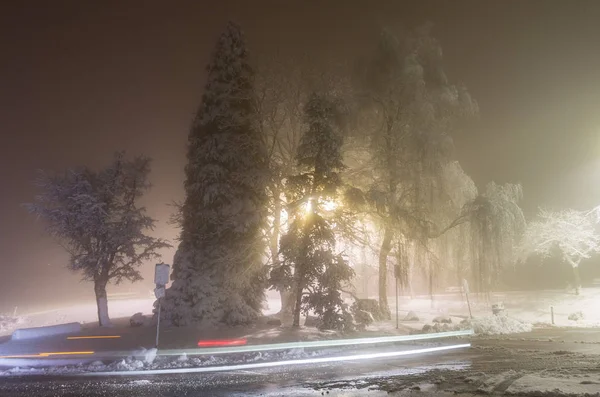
96 217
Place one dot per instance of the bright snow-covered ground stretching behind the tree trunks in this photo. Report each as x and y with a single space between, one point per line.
522 308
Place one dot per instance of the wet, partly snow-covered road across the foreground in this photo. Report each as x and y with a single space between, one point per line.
574 353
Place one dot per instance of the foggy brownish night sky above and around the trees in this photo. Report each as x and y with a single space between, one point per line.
81 79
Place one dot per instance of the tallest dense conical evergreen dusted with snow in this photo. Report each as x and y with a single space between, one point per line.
217 267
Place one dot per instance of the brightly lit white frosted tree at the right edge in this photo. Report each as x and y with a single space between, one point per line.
574 233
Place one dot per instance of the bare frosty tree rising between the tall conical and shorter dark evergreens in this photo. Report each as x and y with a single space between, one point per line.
283 85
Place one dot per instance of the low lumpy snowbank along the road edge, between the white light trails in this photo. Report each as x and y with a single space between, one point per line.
148 359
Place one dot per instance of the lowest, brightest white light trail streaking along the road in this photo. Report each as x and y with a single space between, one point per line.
320 360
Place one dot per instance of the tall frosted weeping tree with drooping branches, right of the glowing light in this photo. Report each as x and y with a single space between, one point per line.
408 108
